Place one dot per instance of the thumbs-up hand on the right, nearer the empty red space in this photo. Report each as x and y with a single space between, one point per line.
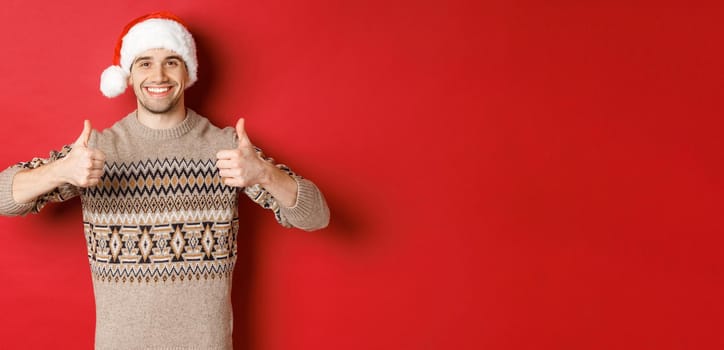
242 166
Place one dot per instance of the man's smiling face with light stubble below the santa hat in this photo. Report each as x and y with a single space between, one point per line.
159 77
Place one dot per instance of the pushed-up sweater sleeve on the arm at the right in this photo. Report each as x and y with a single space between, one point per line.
310 212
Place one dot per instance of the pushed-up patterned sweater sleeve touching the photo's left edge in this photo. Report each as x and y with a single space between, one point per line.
8 205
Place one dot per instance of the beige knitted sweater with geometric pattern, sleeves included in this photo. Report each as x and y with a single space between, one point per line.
161 232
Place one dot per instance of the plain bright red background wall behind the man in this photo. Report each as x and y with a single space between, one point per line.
501 174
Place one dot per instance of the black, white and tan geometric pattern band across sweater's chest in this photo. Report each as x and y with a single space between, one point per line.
175 222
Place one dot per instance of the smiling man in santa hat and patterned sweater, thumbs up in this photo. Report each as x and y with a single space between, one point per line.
159 193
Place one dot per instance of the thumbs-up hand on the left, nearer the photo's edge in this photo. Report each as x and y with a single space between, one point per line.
83 166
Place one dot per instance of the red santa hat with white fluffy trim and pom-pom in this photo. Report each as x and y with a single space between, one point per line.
159 30
